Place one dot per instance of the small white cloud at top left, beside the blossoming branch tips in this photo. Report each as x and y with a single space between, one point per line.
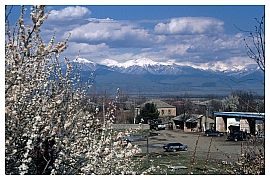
69 13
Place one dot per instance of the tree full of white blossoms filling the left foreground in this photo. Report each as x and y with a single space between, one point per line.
49 129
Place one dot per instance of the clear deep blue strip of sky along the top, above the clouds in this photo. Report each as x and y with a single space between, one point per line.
229 14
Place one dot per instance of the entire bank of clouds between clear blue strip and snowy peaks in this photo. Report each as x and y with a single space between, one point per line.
195 41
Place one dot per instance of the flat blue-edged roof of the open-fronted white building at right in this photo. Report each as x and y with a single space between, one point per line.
241 114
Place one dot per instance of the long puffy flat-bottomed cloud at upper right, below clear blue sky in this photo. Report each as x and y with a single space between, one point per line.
190 25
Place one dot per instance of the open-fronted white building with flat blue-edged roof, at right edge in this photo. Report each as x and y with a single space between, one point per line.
250 122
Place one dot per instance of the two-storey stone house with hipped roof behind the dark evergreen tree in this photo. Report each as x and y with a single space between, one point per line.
165 110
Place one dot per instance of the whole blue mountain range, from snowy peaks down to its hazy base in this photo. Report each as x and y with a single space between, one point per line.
145 76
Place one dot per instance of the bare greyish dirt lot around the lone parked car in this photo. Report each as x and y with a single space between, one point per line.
220 149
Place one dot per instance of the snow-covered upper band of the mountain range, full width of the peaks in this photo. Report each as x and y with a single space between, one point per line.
147 66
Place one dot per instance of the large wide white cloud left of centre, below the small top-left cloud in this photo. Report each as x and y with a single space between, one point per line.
114 33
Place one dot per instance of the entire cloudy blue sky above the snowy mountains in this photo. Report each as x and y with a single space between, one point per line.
189 35
